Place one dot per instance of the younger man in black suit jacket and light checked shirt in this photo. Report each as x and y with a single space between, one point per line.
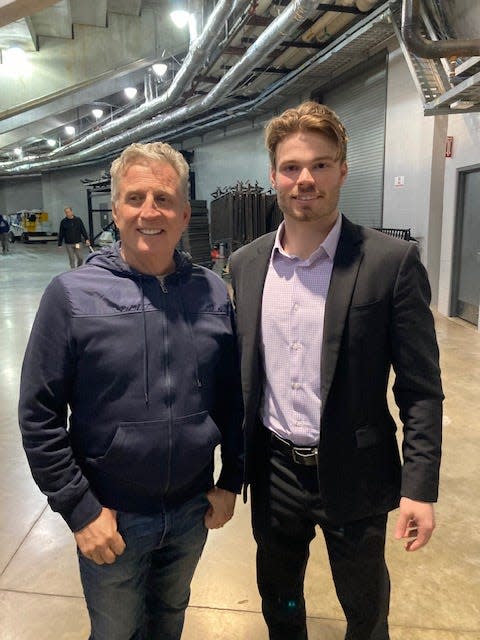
324 309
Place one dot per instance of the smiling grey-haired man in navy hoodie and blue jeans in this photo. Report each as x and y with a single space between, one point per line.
139 345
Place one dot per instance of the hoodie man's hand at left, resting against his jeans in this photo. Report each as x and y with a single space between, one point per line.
99 540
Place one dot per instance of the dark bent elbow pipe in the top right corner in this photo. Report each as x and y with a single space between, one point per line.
425 48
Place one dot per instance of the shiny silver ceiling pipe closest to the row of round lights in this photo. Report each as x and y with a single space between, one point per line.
198 54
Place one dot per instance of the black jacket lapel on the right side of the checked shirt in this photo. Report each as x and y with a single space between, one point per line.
344 275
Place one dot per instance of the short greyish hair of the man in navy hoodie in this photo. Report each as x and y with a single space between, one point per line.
146 154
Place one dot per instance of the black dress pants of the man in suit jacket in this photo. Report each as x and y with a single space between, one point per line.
286 506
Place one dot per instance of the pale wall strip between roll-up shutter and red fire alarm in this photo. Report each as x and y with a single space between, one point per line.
414 156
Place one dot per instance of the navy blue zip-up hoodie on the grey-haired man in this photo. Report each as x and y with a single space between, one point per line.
149 370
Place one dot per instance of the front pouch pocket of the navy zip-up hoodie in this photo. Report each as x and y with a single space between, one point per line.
159 453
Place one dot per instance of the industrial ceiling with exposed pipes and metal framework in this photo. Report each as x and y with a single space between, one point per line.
245 58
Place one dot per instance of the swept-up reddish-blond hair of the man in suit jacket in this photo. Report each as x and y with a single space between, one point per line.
309 116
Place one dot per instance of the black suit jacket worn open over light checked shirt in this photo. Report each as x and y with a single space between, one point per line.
376 316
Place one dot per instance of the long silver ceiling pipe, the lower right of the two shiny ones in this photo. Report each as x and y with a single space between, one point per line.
285 24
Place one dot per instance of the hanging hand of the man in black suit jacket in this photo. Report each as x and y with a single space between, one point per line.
415 522
